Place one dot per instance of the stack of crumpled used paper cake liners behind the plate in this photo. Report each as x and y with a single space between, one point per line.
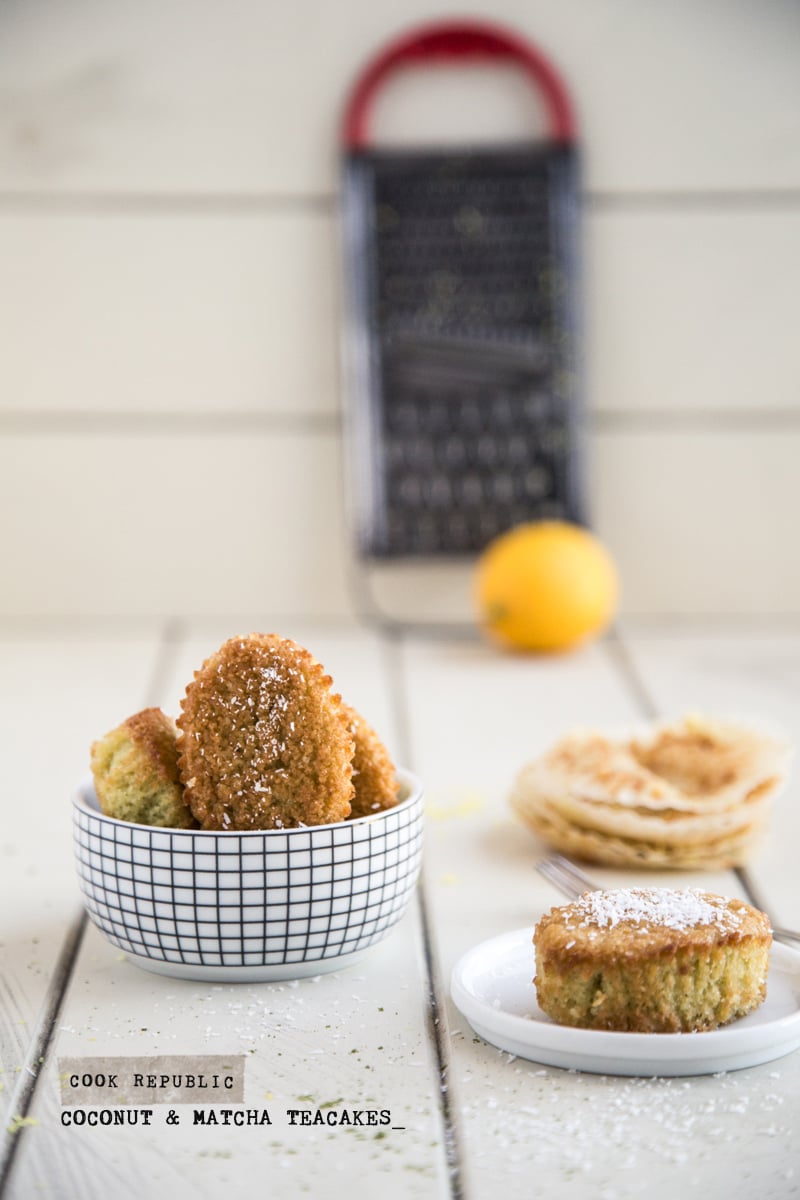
695 794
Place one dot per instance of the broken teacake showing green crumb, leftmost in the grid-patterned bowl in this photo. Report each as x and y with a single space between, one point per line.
135 769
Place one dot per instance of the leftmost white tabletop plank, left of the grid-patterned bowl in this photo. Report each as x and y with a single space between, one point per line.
61 689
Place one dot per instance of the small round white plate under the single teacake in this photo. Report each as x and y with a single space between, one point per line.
492 987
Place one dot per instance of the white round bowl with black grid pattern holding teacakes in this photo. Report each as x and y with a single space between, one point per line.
249 907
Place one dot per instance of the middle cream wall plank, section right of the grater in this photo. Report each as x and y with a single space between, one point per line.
670 295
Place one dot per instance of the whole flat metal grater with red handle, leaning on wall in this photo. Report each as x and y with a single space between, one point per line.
462 397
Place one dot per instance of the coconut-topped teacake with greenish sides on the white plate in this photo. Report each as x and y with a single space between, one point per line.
652 961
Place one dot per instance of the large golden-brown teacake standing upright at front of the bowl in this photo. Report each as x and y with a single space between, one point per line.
264 743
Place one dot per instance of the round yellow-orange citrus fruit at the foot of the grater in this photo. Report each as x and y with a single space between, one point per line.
546 586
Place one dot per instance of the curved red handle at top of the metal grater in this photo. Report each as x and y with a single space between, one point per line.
455 43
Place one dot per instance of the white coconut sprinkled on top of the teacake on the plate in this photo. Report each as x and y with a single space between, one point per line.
665 908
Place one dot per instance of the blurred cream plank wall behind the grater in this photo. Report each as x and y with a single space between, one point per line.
171 284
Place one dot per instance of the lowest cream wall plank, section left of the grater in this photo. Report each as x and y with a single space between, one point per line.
191 524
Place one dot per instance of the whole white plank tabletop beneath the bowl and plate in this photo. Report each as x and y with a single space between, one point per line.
466 1119
